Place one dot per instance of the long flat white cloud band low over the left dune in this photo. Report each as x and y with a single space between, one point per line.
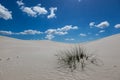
25 32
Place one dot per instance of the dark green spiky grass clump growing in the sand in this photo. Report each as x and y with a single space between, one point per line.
75 57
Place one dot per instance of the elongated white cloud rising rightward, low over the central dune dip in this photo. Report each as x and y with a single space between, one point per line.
60 31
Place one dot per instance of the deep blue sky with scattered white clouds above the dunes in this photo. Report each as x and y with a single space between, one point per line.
59 20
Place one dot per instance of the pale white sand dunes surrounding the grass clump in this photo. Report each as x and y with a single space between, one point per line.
36 60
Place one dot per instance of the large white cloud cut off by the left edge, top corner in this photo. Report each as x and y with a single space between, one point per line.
5 13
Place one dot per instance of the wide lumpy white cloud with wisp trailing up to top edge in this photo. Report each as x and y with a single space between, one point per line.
33 11
